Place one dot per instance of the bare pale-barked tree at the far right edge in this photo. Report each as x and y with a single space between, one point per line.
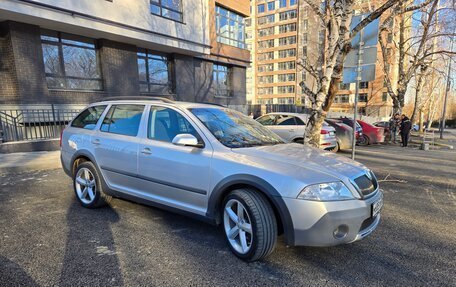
419 35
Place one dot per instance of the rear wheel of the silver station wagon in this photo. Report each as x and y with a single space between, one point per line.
93 196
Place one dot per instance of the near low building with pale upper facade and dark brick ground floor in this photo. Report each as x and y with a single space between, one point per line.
76 52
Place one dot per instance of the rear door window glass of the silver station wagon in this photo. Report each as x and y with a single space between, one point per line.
123 120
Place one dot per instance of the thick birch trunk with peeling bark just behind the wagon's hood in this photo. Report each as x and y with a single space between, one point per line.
335 18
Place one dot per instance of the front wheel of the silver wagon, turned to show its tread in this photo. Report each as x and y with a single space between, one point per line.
258 215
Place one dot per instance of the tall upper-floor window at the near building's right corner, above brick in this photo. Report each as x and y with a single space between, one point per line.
230 28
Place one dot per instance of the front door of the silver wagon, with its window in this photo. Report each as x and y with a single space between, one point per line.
177 176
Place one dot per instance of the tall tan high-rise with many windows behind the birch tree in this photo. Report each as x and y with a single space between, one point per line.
281 32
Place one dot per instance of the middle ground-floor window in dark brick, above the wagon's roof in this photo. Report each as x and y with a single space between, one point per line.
154 72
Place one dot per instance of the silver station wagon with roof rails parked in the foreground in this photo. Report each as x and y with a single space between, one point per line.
216 164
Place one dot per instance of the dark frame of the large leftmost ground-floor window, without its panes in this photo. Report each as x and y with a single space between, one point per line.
45 36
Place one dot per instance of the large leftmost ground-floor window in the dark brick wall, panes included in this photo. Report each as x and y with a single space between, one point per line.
70 62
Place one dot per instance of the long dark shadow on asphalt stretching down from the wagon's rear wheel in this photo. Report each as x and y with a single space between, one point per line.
90 255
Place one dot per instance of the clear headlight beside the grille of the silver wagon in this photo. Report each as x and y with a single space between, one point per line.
330 191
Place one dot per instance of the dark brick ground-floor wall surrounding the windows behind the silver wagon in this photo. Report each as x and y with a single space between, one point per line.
23 80
